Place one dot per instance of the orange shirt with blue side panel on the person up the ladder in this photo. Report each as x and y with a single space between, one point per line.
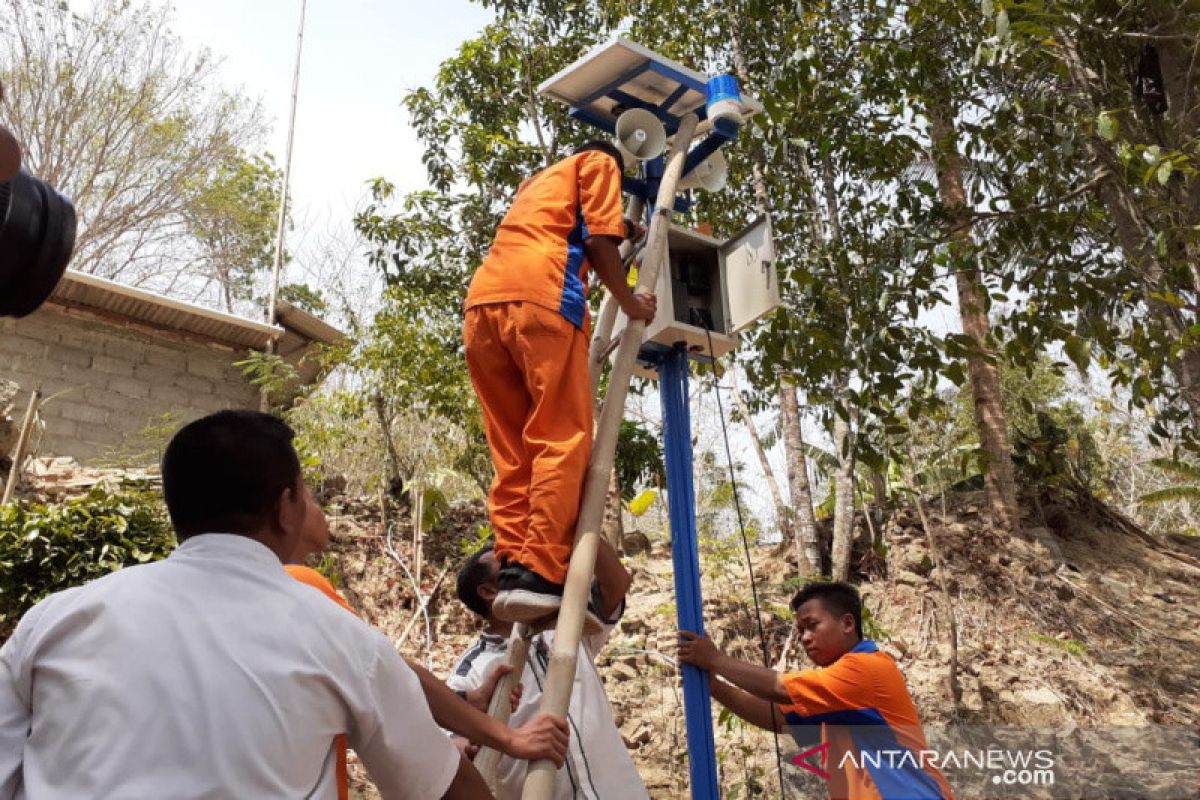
538 254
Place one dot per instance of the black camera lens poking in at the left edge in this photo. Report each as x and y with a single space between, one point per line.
38 233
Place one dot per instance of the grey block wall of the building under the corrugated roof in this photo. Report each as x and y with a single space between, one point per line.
121 382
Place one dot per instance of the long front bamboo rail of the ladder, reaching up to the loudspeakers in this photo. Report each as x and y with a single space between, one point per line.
560 678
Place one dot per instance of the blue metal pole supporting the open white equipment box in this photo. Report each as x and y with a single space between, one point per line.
685 551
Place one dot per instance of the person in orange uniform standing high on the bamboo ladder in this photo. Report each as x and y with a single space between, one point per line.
526 334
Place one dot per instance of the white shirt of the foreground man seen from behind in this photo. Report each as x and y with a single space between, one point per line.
209 675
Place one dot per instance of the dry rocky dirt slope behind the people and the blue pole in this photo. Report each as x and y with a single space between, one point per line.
1081 624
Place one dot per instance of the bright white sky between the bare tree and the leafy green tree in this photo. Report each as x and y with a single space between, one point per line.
361 58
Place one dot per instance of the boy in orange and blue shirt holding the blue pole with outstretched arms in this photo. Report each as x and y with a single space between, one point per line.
871 732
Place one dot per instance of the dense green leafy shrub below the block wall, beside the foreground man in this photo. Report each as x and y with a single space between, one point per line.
46 549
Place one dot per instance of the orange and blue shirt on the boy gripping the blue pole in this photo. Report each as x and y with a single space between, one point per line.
871 725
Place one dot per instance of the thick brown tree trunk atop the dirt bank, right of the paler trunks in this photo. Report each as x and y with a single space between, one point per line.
989 411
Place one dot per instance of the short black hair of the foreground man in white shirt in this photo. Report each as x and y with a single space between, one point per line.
225 473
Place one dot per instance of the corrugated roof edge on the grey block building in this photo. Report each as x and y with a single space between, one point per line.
296 334
